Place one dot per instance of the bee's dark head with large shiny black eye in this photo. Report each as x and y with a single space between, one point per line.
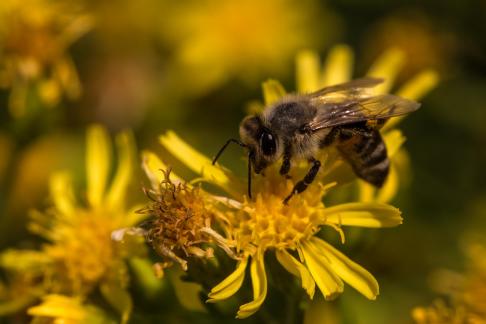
261 142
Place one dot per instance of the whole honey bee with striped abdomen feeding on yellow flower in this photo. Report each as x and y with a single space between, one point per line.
346 116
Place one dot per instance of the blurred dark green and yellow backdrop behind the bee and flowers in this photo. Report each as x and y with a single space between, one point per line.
196 67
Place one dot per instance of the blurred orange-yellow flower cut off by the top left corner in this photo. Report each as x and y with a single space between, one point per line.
34 39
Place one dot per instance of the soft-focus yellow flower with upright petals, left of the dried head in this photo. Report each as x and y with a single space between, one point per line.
79 255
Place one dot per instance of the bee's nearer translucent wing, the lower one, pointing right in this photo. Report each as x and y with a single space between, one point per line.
341 110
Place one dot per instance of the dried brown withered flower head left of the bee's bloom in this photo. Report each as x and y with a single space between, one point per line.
180 224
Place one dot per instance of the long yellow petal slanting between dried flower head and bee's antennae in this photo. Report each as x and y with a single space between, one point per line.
201 164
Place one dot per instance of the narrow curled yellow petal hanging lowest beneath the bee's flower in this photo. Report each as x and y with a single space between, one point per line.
259 282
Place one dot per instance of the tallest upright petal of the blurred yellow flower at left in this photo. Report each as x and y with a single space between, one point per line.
98 161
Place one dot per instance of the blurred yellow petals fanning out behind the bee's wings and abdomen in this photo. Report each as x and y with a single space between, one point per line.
338 68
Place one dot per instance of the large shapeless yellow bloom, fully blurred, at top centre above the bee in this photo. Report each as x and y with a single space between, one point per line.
217 41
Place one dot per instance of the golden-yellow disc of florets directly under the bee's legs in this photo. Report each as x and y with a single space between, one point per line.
267 222
